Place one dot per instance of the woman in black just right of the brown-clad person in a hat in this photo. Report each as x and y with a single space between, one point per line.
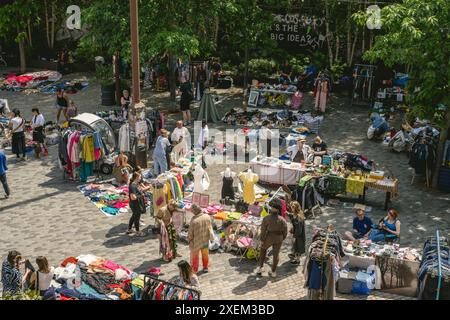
297 218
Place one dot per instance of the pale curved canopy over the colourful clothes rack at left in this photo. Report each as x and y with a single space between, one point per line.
91 122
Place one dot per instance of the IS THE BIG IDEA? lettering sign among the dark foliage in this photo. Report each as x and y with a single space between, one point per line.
299 31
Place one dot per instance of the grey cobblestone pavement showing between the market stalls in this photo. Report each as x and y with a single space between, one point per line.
46 216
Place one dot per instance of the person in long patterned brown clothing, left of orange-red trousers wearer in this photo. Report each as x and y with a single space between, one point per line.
168 234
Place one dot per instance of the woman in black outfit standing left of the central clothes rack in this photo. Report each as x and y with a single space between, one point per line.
137 203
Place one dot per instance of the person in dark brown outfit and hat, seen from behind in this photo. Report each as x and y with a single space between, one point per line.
273 232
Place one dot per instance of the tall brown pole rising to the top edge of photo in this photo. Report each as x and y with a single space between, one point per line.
136 107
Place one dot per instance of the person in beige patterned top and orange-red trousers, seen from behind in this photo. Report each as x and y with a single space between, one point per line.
199 234
